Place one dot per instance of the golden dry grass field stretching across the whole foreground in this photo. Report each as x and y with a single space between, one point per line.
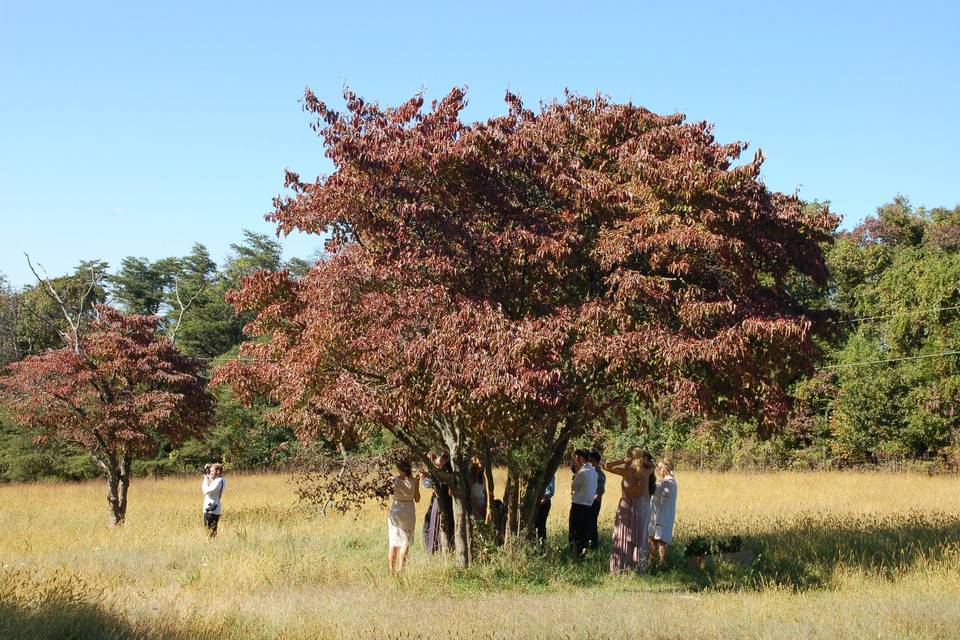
852 555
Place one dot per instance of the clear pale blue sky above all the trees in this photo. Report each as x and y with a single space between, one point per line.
136 128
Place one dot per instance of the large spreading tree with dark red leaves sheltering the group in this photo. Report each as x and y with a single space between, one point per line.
503 283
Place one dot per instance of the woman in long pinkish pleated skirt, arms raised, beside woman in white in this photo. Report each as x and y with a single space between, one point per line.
629 551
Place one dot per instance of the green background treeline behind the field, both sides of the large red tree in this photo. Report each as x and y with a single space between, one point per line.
887 386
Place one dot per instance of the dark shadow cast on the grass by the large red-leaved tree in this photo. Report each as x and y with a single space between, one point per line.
801 553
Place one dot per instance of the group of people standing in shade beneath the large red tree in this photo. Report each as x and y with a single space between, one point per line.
643 525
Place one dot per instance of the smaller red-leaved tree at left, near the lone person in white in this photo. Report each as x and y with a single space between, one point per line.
118 390
